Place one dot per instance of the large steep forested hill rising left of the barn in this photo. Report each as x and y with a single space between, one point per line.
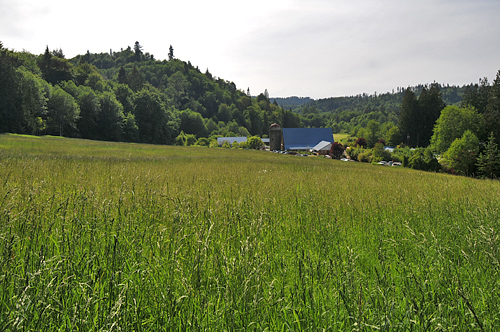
127 96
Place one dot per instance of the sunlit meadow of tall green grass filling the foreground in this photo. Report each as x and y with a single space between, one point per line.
98 236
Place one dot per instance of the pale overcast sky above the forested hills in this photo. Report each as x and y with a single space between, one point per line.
305 48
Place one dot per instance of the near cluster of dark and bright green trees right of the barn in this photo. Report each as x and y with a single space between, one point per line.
430 135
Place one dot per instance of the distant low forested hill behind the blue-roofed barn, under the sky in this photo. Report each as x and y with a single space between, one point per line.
350 114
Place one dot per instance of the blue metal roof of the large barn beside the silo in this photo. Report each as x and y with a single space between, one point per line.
305 138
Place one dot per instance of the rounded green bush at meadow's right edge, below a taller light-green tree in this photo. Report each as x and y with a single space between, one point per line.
461 157
